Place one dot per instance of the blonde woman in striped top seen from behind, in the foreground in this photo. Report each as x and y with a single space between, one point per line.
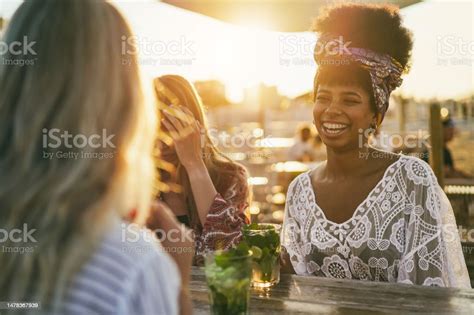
76 136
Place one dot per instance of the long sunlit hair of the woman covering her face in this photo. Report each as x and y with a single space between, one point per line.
176 90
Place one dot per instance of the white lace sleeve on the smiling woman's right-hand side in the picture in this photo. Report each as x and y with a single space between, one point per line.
433 254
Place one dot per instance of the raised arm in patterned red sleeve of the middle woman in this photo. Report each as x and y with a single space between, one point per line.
221 217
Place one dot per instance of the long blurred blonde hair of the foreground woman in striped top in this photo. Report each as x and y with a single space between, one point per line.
83 83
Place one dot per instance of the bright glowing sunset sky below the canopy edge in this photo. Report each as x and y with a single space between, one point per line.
202 48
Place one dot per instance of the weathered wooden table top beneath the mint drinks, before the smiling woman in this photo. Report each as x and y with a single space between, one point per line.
315 295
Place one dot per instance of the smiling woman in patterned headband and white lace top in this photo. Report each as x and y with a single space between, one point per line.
390 221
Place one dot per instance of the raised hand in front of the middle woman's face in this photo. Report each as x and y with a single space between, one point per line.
186 133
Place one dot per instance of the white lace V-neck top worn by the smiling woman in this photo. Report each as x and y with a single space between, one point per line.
404 231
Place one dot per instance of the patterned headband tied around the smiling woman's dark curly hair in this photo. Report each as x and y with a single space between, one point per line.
385 72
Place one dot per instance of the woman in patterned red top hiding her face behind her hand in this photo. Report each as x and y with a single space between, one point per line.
213 194
